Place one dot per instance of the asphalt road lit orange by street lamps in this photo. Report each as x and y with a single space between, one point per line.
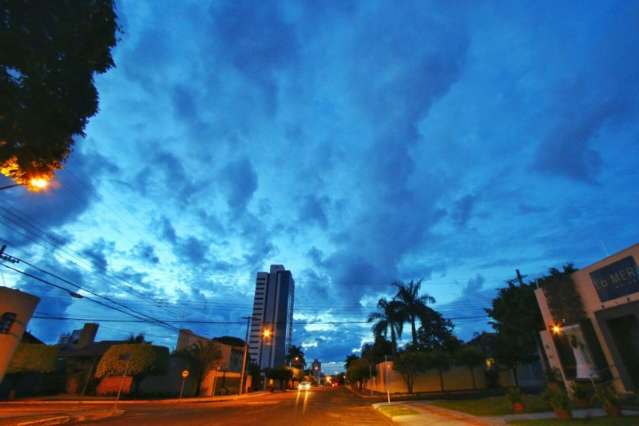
325 407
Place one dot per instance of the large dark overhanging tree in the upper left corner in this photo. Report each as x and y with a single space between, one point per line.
49 53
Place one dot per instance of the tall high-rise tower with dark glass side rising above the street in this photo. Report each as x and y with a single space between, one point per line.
272 320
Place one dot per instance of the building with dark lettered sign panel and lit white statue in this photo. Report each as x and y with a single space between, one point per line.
604 344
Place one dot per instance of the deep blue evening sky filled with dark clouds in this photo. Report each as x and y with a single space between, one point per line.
355 142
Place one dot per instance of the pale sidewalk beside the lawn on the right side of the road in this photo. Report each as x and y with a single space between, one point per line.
413 413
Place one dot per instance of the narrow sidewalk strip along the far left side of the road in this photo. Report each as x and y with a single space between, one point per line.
111 400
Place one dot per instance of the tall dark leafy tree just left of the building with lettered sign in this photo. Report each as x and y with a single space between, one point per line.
517 320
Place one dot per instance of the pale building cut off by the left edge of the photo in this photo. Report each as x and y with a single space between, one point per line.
16 308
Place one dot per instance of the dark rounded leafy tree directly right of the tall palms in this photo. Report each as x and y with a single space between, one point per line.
436 332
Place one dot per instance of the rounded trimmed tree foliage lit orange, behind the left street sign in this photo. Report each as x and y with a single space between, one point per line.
134 359
